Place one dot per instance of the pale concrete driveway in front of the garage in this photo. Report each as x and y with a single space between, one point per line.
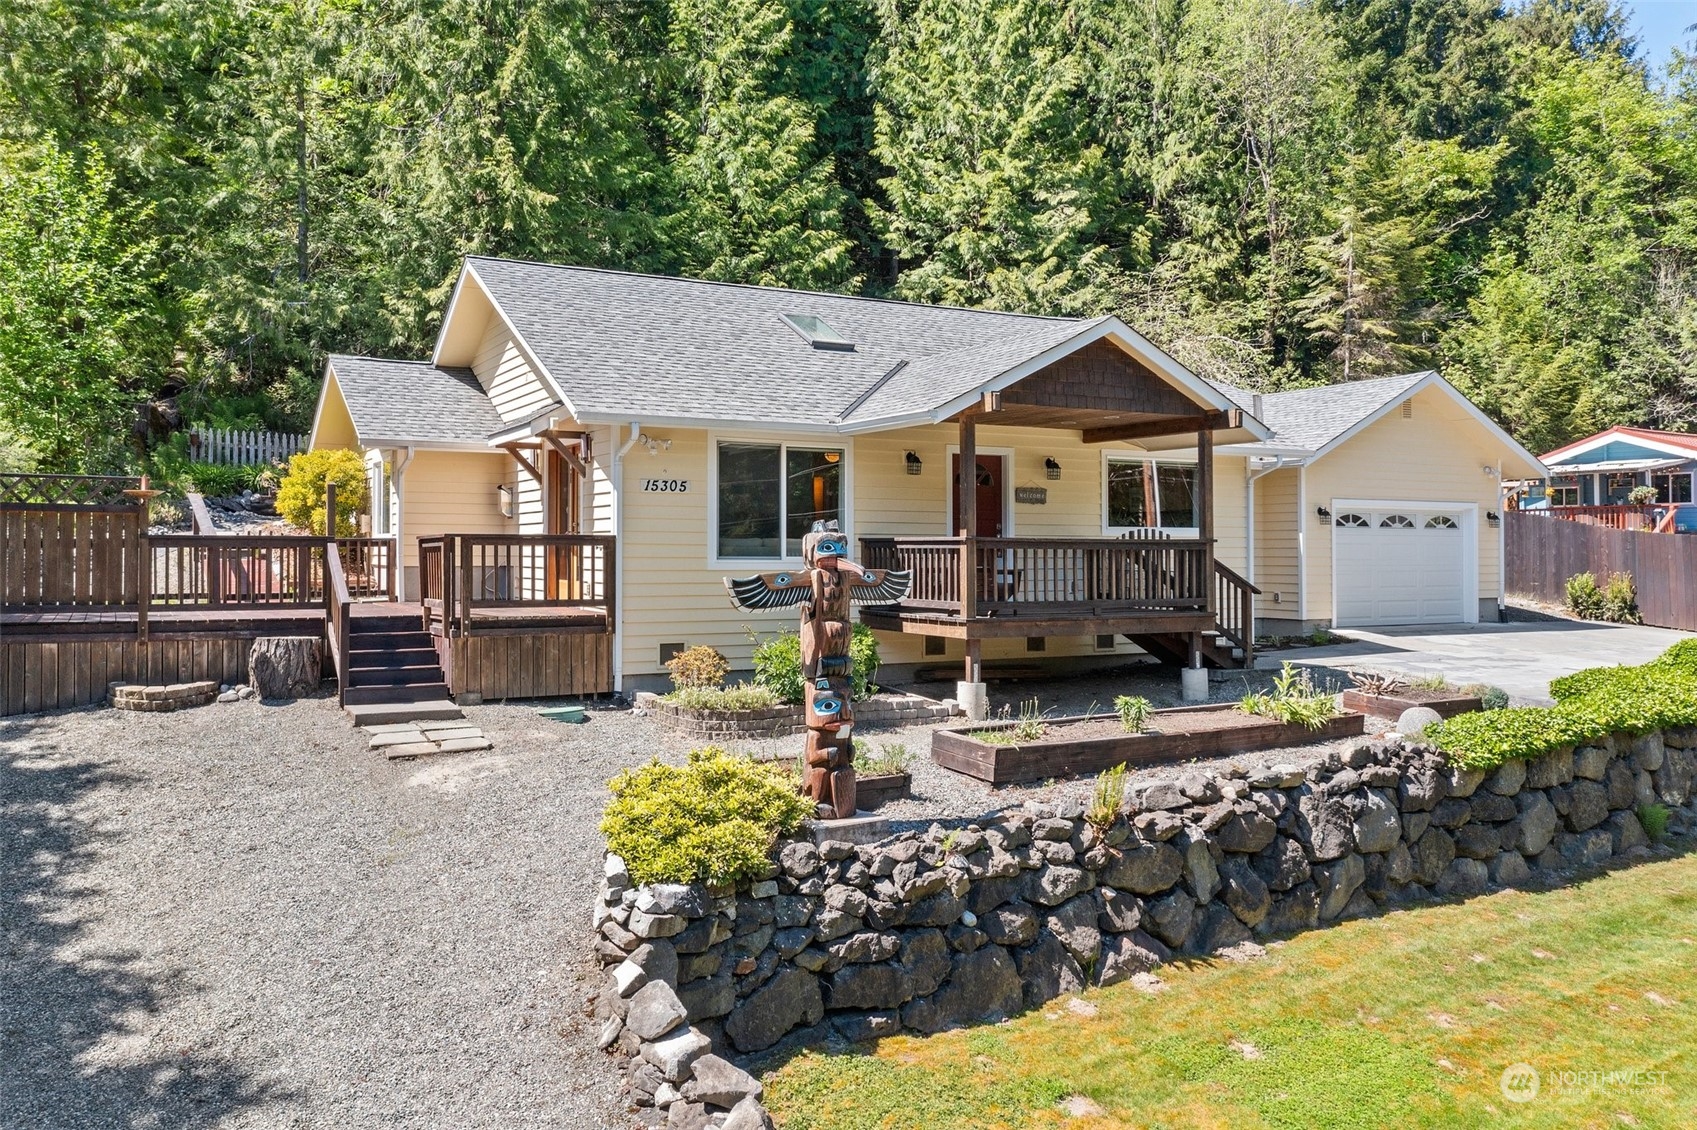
1518 657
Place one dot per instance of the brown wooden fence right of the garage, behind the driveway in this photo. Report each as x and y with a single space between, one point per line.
1543 552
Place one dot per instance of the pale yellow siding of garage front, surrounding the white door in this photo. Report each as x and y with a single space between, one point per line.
1433 457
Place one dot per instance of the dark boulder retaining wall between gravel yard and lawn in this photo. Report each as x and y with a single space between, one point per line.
951 927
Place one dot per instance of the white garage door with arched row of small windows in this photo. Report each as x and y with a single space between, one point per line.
1399 568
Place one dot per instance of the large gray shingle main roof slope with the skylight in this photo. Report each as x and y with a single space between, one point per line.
661 347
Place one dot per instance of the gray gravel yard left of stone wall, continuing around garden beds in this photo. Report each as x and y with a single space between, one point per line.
238 917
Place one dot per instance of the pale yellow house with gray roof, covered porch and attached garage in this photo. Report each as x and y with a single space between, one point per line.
698 430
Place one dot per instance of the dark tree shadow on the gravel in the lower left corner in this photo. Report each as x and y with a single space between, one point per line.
57 1007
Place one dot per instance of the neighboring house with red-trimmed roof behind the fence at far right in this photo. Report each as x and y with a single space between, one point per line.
1608 467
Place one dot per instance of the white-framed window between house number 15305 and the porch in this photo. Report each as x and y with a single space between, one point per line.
770 496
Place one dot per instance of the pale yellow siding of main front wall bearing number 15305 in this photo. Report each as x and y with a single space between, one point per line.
675 595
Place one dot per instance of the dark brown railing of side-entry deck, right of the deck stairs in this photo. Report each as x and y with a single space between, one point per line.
461 574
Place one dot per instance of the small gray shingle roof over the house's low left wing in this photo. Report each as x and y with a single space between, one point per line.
413 401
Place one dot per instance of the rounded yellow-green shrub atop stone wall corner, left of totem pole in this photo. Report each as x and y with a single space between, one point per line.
714 820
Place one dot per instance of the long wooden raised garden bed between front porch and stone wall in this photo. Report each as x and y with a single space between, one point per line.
1090 744
